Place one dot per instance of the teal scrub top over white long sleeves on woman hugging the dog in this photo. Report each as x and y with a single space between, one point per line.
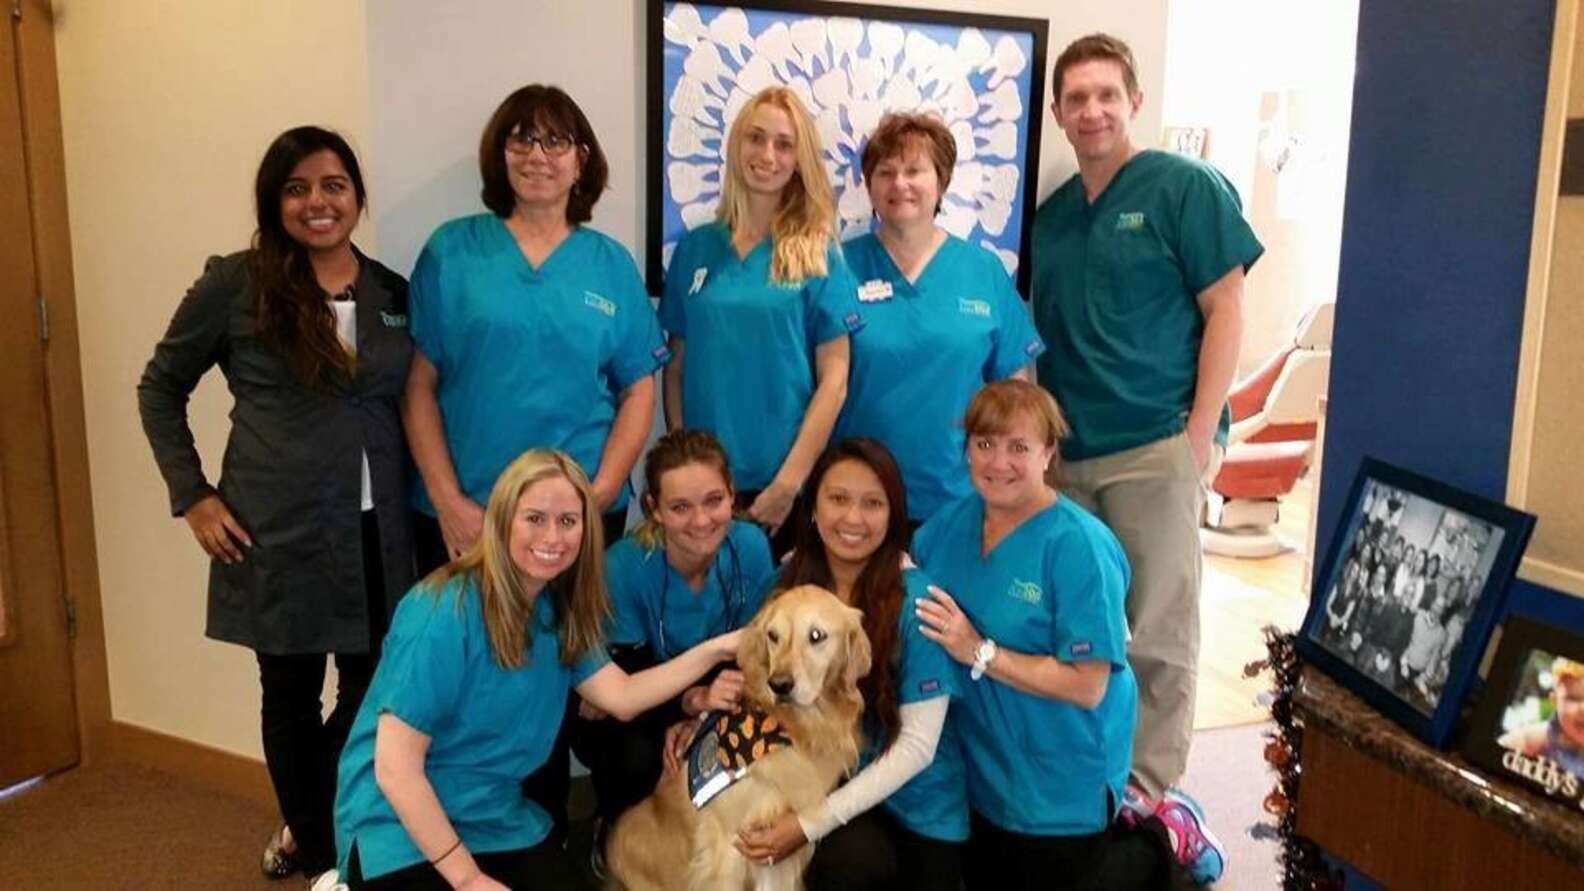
935 801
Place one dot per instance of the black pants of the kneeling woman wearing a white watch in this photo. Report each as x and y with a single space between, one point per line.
1114 860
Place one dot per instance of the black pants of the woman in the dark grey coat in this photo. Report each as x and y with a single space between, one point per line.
302 749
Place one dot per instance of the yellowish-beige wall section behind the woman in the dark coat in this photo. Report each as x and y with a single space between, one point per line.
167 110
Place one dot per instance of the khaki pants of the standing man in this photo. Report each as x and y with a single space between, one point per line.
1152 499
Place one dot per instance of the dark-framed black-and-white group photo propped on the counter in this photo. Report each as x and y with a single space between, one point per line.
1409 594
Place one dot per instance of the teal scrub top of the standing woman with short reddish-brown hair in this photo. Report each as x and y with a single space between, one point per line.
924 351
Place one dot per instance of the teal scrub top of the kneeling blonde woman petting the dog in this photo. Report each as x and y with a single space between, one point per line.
489 727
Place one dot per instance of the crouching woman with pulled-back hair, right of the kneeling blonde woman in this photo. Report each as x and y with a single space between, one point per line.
688 573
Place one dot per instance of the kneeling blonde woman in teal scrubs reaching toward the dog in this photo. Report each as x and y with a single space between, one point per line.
471 690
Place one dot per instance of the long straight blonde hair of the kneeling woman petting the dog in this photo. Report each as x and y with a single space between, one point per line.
577 595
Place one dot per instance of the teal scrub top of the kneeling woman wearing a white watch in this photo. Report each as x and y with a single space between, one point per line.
1054 587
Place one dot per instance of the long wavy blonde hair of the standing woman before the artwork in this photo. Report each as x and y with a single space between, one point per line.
805 224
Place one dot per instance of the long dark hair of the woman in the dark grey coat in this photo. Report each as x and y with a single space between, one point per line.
294 310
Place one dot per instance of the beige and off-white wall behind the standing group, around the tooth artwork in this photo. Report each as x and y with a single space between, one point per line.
167 109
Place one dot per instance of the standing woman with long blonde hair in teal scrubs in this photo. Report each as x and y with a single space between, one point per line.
760 307
